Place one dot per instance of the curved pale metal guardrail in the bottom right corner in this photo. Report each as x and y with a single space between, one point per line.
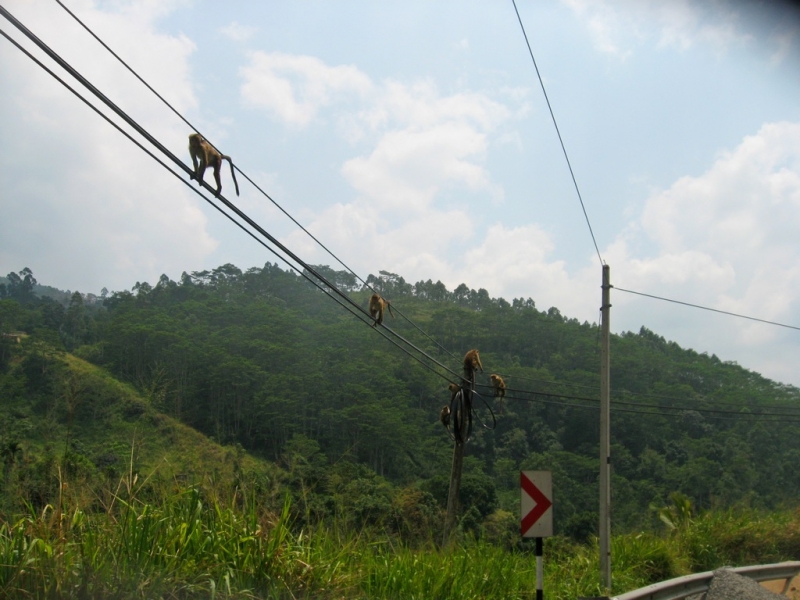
681 587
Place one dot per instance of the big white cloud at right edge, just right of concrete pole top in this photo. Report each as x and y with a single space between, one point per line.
725 240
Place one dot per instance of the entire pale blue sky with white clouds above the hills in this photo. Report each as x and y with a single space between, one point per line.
414 137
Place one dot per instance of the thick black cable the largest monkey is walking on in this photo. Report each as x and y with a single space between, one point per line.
144 133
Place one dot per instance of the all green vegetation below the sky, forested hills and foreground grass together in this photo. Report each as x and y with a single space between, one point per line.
239 434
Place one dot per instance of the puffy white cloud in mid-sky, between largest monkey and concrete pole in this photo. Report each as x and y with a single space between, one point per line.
422 147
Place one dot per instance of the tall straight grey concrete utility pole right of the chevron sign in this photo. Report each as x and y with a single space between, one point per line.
605 432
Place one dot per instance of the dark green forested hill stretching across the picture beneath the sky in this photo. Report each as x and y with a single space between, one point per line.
265 360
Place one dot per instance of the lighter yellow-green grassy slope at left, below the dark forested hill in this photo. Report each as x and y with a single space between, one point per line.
67 425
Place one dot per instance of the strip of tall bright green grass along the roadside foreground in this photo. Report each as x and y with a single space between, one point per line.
194 542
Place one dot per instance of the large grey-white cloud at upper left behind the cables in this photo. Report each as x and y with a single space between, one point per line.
100 203
